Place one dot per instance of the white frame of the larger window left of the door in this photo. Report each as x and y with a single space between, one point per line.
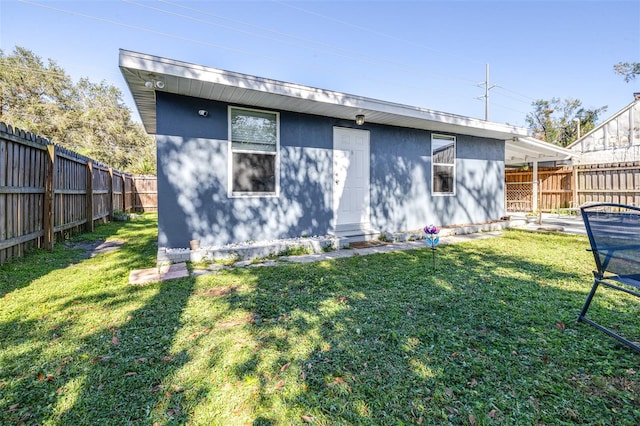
231 151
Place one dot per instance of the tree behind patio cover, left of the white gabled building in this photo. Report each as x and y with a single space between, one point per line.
554 121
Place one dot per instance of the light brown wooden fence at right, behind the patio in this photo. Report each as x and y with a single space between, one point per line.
571 186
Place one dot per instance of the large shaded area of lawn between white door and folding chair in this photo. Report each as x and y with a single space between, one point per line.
484 338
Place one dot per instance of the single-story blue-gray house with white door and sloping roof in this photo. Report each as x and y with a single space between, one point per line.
247 158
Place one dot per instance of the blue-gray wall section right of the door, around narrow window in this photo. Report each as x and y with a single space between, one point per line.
401 181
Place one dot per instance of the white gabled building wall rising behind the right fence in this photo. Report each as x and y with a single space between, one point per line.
617 140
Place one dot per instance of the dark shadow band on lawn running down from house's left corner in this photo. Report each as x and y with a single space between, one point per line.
130 373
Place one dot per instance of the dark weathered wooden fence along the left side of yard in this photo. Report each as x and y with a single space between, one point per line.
48 192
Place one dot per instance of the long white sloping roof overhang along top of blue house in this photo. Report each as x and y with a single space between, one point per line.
142 71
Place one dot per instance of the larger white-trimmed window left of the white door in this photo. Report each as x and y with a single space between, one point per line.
254 151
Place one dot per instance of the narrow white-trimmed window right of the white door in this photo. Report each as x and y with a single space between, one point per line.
443 164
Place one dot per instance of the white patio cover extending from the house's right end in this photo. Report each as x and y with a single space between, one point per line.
522 150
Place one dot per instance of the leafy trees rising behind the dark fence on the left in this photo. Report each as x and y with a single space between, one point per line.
86 117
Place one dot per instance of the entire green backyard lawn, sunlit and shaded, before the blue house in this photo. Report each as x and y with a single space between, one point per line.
487 338
